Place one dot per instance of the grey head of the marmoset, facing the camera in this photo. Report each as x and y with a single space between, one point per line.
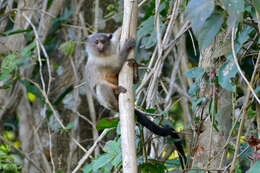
99 44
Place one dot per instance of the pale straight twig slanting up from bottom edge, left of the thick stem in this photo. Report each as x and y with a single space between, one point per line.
85 157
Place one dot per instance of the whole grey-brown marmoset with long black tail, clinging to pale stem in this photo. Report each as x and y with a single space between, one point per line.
105 61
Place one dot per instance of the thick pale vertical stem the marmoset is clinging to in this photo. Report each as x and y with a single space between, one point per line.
126 100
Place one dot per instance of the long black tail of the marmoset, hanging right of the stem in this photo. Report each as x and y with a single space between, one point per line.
162 131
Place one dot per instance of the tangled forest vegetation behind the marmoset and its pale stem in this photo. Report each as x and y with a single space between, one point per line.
199 70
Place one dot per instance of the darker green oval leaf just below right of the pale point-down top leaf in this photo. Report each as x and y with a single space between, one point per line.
210 29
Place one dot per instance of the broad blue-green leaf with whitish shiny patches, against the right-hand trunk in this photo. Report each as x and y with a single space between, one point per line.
227 71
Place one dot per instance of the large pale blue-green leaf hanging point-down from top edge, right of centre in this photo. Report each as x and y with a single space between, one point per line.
198 11
